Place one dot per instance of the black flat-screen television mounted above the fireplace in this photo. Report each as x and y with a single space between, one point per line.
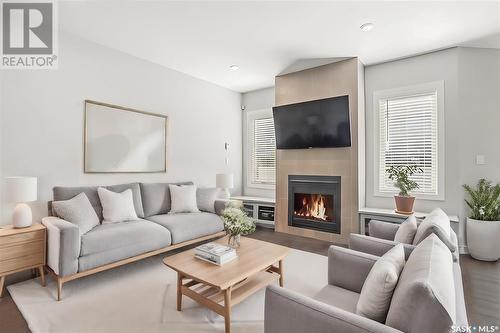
322 123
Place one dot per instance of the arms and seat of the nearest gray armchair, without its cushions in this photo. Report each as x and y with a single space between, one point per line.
333 309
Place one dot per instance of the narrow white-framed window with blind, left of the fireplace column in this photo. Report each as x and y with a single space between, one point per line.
261 143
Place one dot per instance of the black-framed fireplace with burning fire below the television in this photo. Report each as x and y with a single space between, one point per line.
314 202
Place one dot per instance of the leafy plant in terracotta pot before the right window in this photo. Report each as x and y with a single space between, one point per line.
401 174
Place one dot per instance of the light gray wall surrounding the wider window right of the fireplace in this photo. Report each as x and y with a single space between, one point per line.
472 115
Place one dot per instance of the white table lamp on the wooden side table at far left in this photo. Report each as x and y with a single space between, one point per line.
21 190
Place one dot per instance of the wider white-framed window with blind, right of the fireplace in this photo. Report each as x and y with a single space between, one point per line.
410 131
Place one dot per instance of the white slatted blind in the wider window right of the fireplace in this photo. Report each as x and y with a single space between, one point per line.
408 133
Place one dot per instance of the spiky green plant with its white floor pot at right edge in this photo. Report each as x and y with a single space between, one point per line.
483 223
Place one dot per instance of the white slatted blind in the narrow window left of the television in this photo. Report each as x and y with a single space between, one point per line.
263 152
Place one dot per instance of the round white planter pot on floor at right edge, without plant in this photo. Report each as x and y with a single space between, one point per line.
482 239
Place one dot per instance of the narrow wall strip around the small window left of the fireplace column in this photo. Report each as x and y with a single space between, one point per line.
252 101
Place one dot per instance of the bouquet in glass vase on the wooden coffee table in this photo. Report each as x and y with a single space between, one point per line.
237 223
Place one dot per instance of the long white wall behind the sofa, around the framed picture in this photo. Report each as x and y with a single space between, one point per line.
42 132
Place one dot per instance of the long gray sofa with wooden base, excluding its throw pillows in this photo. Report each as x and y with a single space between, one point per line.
71 255
